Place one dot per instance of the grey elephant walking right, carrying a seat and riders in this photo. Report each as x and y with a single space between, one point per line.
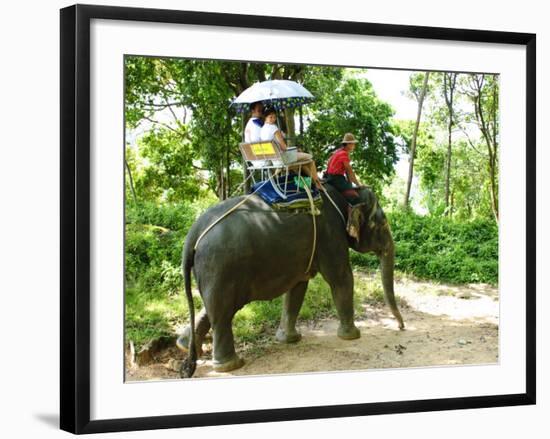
259 253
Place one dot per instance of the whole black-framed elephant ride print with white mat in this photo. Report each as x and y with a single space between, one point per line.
274 218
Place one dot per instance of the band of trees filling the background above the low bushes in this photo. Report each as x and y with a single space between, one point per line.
188 136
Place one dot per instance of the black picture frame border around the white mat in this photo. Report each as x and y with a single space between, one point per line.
75 218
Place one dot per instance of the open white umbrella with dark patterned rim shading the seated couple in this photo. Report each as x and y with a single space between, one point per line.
279 93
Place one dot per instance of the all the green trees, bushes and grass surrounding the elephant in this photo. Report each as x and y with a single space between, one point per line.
182 156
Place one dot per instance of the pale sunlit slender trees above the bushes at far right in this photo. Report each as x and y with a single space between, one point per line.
474 147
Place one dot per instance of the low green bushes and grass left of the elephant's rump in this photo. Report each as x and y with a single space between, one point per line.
154 298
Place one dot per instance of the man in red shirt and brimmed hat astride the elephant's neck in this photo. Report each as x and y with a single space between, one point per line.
339 172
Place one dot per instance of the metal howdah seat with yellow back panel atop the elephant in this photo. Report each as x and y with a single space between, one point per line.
267 159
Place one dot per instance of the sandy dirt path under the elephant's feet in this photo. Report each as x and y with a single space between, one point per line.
445 325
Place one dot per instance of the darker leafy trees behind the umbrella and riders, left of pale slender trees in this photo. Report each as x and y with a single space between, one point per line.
186 104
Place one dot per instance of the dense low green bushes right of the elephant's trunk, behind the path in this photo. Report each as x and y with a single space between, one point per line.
442 249
